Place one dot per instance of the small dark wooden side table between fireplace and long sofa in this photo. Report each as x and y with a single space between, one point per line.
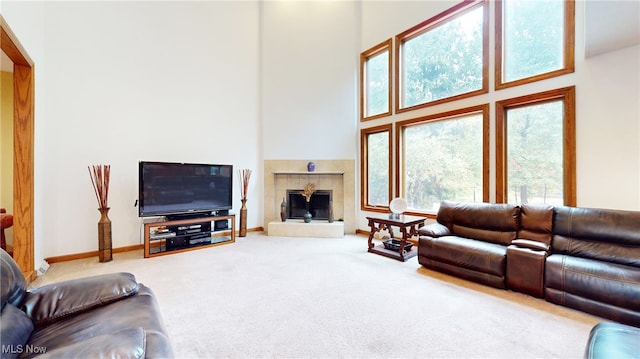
408 227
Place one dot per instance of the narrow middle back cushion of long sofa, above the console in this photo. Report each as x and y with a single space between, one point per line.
536 223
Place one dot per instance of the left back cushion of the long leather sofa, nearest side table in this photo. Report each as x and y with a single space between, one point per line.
488 222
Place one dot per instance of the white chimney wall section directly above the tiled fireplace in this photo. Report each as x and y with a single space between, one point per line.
309 65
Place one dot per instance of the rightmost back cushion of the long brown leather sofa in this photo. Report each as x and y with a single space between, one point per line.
601 234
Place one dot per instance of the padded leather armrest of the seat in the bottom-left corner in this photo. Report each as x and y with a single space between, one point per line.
54 301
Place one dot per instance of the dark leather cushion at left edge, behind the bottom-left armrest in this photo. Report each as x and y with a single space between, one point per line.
15 329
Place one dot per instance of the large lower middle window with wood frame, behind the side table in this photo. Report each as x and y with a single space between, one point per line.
444 157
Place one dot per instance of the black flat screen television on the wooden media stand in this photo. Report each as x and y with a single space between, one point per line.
183 189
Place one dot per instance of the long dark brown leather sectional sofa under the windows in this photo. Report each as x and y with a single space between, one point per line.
583 258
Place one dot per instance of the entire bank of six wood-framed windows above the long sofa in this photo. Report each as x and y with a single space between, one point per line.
442 64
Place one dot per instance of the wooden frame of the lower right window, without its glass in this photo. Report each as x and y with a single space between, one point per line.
567 95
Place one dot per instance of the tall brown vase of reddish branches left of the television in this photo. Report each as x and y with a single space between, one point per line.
100 177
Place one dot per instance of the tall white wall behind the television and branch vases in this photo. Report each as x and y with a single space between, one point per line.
131 81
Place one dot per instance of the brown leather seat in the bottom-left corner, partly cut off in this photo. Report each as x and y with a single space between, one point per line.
106 316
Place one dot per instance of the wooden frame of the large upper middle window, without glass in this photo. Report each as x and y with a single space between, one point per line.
425 27
